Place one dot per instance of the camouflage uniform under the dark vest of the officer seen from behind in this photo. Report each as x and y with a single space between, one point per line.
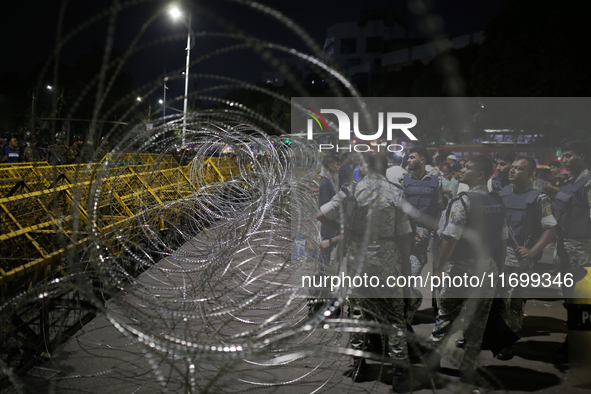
453 304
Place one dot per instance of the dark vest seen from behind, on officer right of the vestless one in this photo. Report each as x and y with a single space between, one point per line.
484 222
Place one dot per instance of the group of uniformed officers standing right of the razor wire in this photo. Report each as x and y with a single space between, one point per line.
477 217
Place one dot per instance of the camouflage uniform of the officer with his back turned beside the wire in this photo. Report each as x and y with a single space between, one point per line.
378 211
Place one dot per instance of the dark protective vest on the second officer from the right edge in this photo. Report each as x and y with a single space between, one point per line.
521 215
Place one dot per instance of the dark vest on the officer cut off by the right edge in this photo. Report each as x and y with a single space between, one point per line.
571 210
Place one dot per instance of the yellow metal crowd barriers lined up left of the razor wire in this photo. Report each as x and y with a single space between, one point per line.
45 222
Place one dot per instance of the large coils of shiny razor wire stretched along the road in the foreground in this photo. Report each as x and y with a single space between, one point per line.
197 292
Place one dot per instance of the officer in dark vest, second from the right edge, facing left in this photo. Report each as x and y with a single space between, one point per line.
529 217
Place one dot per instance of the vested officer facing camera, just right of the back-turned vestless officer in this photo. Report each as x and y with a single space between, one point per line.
423 191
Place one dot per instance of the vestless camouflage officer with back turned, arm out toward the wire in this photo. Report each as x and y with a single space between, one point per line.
378 218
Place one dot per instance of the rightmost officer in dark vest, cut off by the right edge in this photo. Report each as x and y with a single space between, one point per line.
572 210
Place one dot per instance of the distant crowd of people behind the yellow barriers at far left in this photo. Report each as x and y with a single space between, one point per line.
58 153
